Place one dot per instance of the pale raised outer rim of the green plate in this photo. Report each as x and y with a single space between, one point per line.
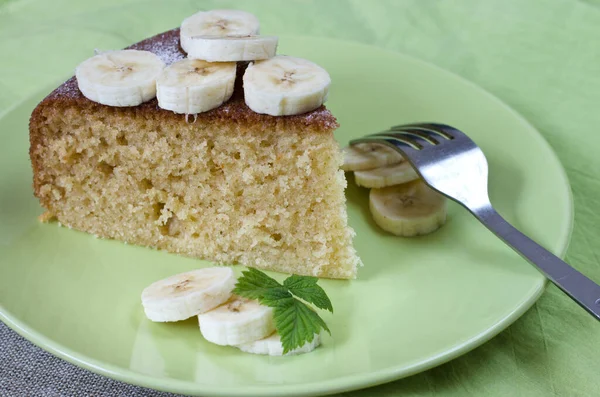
338 384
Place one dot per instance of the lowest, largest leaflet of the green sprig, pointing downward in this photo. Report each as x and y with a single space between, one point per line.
296 323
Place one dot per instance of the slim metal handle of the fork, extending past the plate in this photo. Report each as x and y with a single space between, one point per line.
580 288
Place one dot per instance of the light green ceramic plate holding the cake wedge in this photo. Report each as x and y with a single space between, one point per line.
416 303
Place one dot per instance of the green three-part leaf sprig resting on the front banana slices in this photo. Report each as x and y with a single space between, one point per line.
295 321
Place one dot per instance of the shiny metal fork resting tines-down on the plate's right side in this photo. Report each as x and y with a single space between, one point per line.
451 163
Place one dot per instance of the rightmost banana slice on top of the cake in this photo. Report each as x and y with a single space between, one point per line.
285 85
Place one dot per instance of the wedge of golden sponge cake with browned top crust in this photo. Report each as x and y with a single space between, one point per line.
229 185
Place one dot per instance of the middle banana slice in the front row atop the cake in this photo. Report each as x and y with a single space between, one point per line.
193 86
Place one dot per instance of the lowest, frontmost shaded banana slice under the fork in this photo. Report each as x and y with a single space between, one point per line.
407 210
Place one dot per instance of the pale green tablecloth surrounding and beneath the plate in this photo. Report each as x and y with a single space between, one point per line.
542 57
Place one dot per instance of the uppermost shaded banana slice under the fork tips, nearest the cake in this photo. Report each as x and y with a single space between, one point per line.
366 156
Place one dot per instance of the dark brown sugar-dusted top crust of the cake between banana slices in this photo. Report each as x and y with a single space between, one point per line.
166 46
